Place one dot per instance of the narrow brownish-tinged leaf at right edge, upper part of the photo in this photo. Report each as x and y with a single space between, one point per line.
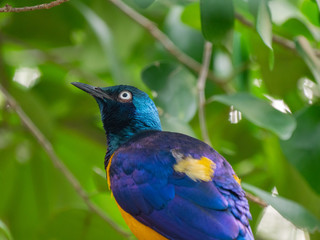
306 52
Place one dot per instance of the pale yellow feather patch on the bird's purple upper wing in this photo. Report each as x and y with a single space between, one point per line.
197 169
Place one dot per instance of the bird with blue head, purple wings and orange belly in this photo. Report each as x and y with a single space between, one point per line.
166 185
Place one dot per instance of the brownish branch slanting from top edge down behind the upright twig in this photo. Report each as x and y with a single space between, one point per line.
152 28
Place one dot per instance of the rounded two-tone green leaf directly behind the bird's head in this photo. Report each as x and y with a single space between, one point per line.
174 87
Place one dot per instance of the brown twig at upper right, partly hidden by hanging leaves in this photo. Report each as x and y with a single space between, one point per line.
284 42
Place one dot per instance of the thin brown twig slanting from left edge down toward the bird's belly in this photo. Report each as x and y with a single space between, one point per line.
58 163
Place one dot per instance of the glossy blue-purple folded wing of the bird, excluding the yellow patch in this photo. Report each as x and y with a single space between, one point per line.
148 186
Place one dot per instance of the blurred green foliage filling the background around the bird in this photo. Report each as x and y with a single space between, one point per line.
265 57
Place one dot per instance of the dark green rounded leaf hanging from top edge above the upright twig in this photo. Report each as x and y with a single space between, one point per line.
217 18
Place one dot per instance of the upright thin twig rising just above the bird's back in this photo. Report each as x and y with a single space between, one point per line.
201 87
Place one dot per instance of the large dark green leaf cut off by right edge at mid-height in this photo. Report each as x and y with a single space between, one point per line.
303 148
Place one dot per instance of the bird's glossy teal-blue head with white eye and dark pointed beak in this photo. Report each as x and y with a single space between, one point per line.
125 110
